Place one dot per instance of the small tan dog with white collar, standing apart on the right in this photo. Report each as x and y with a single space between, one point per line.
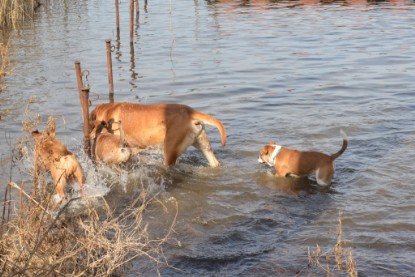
288 162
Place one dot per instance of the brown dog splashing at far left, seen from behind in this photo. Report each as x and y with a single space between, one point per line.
58 160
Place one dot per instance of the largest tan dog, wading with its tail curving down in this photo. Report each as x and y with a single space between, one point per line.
174 126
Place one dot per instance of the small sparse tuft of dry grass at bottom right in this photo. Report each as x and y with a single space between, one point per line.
337 261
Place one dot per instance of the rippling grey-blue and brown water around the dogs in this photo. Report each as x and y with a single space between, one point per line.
294 72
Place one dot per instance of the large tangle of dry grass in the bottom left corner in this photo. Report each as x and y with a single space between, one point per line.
36 240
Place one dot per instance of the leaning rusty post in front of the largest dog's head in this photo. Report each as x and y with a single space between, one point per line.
84 100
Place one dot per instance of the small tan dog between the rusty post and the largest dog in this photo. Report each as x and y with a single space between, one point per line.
107 146
